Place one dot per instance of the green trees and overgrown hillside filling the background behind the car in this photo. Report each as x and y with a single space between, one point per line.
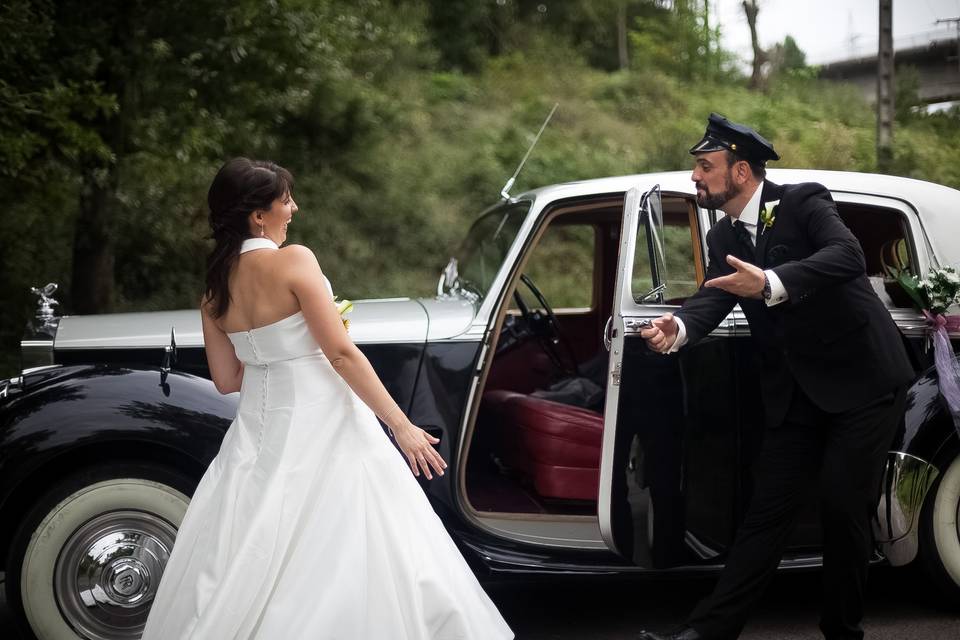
396 146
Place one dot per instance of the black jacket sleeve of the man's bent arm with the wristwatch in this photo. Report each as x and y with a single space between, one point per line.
837 255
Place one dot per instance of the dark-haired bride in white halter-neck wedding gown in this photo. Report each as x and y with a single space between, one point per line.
307 524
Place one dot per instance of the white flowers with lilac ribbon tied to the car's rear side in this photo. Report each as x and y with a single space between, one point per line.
934 295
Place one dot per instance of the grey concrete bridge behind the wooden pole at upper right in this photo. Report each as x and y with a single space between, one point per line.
936 63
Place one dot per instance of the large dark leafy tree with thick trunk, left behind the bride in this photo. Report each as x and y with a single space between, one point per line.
104 86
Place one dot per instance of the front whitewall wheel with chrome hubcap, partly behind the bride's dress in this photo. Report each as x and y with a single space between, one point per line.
87 559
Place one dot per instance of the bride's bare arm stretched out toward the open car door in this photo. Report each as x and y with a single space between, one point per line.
307 283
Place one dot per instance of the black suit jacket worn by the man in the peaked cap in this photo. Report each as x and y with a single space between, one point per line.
833 336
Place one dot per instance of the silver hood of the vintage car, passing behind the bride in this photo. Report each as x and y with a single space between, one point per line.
371 321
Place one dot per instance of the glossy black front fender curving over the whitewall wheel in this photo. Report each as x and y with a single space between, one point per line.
67 417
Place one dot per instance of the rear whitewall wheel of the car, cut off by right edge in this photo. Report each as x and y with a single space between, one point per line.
940 532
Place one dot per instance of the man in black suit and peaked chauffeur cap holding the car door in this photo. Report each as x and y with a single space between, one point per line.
833 374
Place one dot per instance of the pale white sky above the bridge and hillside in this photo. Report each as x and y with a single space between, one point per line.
830 30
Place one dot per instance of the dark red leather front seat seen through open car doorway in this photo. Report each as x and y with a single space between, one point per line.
556 445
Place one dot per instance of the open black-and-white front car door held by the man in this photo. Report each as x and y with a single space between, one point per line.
669 475
